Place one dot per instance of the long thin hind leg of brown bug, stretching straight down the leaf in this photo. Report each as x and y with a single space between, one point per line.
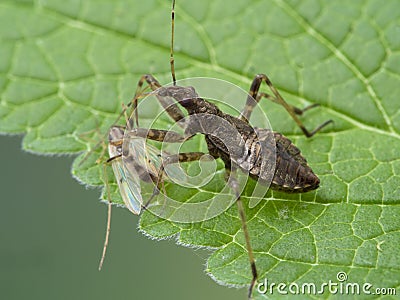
231 179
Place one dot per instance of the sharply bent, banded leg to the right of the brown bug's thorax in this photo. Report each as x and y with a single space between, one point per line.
254 94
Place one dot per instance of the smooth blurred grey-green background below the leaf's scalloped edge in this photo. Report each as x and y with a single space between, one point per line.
52 232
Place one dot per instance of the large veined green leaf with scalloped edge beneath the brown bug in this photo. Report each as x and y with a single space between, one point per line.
65 69
